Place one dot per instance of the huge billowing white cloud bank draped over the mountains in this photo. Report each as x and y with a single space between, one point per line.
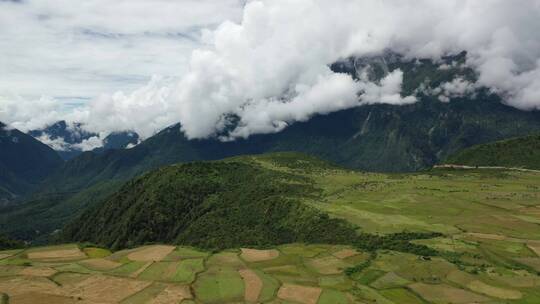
272 68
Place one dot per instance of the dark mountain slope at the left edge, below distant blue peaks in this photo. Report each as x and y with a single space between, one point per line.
24 162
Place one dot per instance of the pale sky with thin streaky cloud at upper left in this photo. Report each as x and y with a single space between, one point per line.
76 51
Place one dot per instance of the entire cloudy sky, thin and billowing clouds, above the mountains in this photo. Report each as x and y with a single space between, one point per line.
143 65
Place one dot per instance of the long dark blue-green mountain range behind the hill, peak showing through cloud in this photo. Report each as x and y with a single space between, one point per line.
372 137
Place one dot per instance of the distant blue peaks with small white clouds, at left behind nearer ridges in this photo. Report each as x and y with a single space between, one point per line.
69 139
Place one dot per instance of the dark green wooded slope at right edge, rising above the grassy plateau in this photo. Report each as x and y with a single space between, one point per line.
521 152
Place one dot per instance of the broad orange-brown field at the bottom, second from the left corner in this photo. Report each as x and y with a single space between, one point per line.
116 289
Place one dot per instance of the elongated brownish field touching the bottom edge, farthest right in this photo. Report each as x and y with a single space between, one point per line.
446 294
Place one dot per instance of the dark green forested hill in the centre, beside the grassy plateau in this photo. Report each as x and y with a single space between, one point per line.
211 205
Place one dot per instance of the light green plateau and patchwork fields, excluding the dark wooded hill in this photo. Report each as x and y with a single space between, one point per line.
487 250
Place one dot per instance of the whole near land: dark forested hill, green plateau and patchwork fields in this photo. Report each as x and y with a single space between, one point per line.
439 236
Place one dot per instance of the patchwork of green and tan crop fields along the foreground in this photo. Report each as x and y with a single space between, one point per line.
305 273
